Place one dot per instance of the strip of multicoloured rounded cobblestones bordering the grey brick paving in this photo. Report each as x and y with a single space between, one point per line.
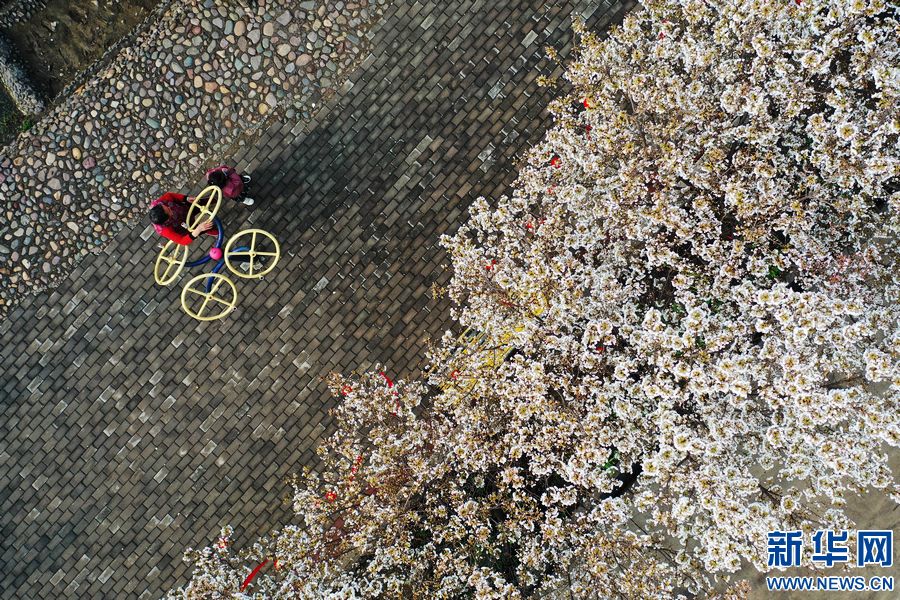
158 112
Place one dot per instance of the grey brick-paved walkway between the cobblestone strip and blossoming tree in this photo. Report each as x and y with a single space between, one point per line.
129 432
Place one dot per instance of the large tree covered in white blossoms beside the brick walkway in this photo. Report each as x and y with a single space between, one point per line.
682 332
